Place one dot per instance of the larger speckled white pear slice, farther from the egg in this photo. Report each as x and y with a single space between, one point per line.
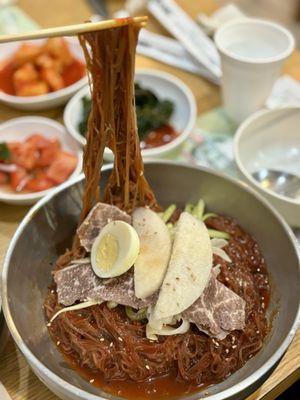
189 268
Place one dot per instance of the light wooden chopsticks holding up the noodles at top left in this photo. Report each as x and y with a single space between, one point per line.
72 30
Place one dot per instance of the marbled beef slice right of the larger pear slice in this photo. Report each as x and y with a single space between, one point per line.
218 310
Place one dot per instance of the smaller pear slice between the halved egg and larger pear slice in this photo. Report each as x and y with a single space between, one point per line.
155 249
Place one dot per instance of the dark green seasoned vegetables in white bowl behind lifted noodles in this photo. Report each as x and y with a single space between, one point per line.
151 112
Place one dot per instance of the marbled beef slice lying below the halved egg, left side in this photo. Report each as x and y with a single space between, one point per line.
79 282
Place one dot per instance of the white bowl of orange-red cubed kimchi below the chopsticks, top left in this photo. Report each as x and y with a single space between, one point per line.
48 100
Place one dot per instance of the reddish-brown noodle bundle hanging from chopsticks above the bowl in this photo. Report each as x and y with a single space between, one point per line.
110 57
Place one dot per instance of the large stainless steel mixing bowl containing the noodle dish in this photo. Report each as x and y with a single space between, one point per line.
47 229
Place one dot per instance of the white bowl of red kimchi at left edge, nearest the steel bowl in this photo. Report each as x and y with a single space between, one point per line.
18 129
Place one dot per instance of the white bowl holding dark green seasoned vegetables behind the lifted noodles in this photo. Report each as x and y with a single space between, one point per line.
165 86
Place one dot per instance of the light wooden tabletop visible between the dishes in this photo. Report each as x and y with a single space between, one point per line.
15 373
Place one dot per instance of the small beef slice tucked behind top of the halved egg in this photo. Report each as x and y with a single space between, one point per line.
99 216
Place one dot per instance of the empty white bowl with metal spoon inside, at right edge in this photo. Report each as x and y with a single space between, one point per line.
271 139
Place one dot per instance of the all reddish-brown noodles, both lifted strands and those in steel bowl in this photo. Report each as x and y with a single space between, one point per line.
105 340
